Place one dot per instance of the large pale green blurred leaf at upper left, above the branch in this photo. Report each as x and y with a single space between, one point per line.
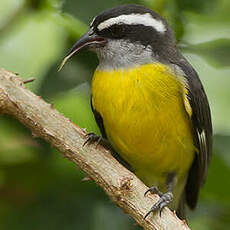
32 46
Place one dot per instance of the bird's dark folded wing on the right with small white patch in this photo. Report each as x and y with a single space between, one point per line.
201 119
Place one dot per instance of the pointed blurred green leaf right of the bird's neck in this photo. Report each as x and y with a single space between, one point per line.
216 52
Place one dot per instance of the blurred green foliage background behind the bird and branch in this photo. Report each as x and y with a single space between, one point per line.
41 190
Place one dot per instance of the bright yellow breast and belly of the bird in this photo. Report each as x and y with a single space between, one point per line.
145 120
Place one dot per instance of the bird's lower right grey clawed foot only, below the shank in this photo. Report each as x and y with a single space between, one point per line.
165 199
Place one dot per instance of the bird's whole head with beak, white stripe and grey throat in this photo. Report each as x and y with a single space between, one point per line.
130 33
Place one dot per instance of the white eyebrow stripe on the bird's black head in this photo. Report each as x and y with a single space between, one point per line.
134 19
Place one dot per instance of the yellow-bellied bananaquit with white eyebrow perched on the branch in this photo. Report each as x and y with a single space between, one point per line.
149 103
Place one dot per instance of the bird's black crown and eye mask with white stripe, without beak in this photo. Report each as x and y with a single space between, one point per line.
135 23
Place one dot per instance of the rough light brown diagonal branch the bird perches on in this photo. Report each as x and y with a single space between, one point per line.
122 186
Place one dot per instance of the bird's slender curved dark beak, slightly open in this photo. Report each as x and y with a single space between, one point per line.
89 38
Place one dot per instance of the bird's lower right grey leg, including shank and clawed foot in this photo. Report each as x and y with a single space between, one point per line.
165 198
